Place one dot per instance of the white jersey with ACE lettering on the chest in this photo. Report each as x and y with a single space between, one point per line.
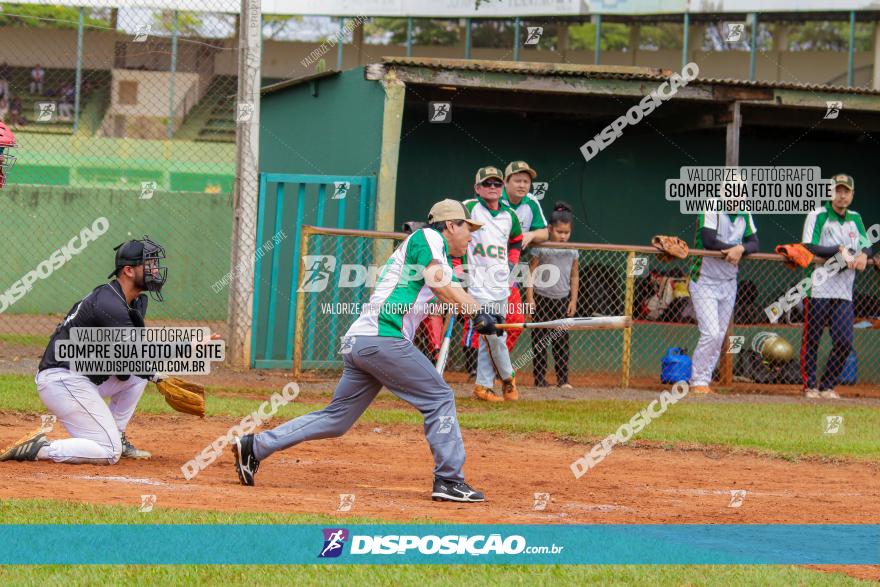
491 248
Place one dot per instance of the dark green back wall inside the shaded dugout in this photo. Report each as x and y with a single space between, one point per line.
618 195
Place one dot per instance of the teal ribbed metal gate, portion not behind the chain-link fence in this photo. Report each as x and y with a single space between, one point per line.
287 203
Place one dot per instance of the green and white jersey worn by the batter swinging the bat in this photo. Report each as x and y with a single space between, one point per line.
400 300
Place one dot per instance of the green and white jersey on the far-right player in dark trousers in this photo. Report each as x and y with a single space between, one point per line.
825 227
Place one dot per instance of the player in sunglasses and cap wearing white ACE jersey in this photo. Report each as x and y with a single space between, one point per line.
491 255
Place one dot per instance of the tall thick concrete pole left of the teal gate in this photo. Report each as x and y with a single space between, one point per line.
246 188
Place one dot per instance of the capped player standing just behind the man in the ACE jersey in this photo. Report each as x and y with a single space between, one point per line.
518 177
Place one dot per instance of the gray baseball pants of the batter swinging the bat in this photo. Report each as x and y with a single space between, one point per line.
369 363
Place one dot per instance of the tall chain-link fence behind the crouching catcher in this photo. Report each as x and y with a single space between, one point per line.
126 125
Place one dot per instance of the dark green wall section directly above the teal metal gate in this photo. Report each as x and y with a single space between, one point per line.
337 132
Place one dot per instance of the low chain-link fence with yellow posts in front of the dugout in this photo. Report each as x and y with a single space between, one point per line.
614 280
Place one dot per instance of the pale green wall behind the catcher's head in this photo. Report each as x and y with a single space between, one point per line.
194 228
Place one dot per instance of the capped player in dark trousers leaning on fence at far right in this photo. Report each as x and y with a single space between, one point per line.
831 229
